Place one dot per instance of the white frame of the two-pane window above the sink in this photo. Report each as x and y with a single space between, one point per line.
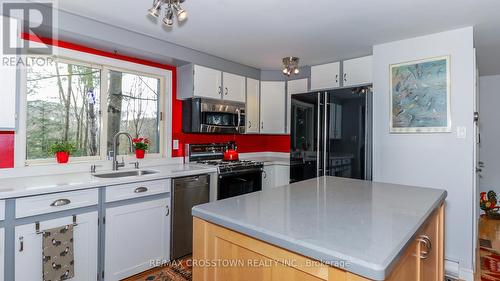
104 64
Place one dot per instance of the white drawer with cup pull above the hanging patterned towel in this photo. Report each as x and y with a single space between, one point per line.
37 205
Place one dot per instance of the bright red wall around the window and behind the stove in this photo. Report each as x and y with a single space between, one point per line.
246 143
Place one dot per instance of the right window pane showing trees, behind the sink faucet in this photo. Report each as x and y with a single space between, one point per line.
133 107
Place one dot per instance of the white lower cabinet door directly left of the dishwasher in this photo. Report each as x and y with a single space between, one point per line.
136 235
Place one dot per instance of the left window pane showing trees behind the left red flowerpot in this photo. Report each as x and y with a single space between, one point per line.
63 105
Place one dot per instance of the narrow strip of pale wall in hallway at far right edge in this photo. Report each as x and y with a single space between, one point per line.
489 149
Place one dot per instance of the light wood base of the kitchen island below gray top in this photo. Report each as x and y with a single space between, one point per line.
223 254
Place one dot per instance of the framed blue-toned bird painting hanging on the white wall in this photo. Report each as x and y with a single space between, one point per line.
420 96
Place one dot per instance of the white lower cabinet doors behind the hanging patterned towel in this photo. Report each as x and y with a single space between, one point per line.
28 249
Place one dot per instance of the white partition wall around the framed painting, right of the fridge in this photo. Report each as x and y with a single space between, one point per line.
431 160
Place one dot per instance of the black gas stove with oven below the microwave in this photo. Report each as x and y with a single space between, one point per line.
234 177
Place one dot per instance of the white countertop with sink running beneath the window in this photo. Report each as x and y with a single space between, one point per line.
36 185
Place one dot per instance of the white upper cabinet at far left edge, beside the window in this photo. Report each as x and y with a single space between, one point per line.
8 82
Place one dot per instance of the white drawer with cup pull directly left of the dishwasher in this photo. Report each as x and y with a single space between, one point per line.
136 190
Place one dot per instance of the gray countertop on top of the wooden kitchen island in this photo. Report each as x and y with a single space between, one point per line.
365 224
